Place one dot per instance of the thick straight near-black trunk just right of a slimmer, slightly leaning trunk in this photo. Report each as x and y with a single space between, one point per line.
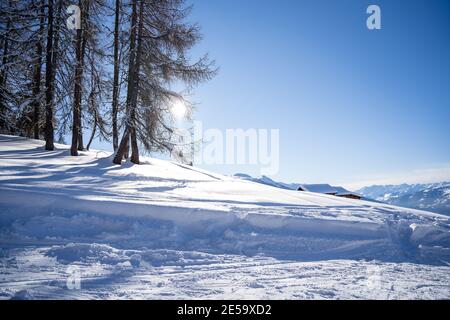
48 82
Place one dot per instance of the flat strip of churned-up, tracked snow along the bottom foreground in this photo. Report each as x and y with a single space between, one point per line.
32 273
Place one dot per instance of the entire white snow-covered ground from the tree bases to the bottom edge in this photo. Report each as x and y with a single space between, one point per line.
165 230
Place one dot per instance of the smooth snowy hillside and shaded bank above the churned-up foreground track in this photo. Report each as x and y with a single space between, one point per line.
53 198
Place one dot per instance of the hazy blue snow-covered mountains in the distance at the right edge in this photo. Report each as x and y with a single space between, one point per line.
434 197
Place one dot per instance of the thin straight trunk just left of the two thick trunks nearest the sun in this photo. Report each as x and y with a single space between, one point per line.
115 98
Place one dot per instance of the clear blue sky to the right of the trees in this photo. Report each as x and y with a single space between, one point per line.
353 106
